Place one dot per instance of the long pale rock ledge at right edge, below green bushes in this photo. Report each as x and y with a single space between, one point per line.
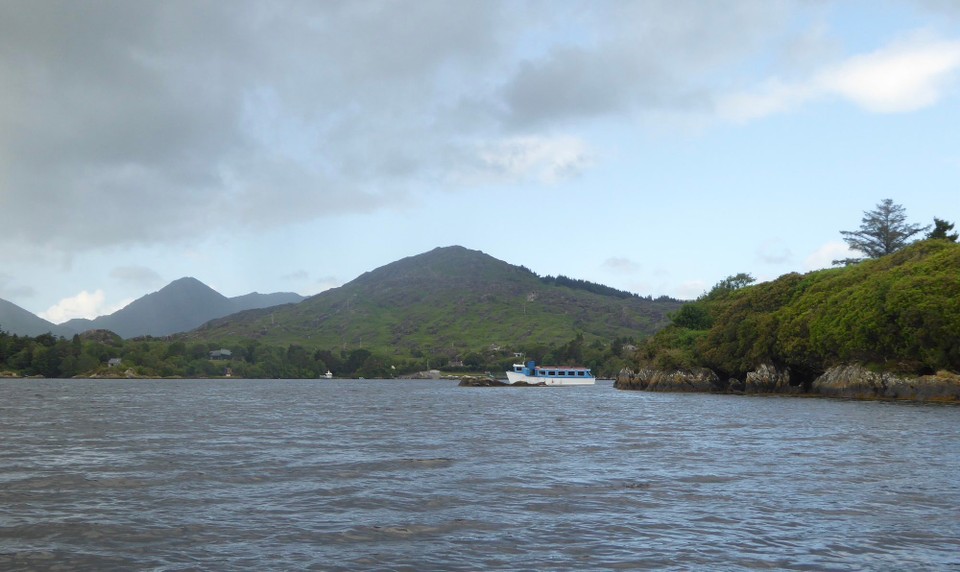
857 382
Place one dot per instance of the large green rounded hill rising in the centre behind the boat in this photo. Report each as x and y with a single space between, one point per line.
447 301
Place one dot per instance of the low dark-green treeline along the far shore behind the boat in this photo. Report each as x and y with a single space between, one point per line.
101 353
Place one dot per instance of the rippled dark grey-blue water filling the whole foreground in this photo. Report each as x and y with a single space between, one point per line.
424 475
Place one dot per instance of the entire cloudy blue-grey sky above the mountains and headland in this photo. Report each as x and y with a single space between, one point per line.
655 146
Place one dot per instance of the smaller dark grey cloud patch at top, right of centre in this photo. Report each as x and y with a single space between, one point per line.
642 56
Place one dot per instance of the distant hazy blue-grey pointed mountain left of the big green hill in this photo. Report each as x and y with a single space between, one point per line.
180 306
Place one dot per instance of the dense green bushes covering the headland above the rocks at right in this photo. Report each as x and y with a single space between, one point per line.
899 312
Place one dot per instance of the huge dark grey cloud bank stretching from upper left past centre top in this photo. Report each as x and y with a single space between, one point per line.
144 122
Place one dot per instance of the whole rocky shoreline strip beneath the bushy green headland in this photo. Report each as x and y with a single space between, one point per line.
848 381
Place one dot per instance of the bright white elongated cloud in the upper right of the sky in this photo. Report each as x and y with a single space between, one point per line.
904 76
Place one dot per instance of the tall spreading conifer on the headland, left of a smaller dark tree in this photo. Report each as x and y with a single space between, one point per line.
883 231
